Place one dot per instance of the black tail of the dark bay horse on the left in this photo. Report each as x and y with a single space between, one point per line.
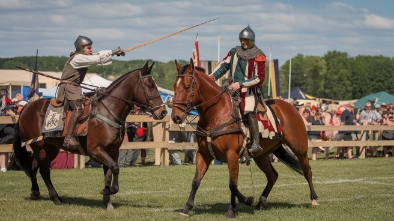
22 158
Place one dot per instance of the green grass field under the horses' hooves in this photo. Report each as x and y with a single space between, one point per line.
358 189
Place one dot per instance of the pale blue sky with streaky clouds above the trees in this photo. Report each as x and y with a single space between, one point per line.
290 27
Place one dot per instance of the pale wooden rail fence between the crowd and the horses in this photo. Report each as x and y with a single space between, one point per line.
162 128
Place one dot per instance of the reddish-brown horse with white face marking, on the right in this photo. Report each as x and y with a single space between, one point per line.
194 89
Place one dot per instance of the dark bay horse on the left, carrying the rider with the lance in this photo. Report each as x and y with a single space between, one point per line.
105 130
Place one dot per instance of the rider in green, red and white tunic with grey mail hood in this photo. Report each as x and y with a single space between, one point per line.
247 71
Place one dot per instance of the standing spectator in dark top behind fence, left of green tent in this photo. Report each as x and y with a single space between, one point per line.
347 118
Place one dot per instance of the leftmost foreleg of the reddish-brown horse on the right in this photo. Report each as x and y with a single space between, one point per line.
202 166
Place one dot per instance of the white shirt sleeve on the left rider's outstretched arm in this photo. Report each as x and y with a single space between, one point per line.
84 61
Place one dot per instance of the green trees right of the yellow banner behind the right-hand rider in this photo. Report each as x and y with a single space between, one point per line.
338 76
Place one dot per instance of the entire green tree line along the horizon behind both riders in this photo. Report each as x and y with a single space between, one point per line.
335 75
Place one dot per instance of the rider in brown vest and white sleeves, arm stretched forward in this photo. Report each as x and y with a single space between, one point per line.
74 71
